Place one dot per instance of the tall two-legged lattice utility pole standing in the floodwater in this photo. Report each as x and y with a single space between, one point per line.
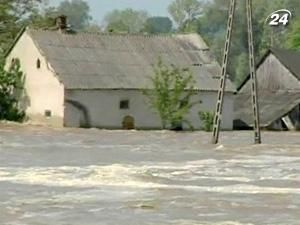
222 88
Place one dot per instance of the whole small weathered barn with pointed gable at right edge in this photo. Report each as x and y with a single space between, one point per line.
278 77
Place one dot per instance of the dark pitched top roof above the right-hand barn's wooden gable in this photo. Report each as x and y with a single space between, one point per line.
289 58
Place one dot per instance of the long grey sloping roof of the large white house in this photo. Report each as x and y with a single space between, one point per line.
122 61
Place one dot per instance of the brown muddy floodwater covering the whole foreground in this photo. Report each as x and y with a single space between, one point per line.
93 177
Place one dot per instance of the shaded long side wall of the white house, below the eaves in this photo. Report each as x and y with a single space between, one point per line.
101 108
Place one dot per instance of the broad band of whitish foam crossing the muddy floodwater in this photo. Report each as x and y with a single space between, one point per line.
143 177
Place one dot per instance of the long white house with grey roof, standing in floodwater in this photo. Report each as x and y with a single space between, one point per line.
96 80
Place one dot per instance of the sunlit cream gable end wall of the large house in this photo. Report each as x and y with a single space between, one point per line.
43 91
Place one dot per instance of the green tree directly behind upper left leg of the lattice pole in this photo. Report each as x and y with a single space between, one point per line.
212 26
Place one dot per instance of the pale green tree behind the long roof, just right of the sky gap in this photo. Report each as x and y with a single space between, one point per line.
185 12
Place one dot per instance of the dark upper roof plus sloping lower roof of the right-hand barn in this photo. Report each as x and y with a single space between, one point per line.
273 105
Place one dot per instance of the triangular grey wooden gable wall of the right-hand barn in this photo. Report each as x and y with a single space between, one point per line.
273 76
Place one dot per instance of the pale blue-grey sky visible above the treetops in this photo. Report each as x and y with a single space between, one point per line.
100 7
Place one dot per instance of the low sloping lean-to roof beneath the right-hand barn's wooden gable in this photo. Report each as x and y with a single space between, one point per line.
272 106
